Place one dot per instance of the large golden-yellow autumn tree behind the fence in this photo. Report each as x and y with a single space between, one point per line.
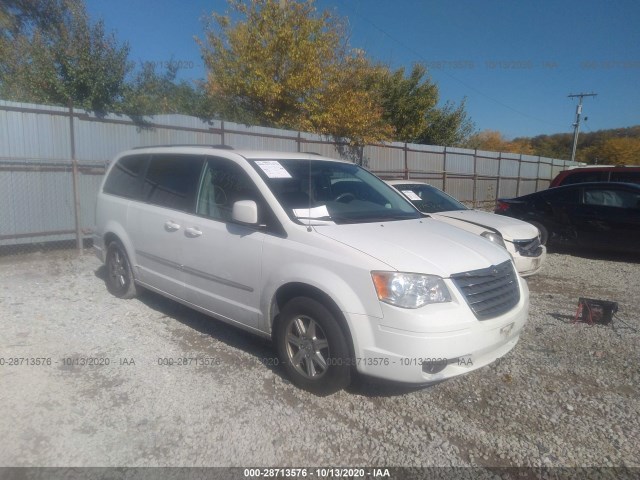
283 64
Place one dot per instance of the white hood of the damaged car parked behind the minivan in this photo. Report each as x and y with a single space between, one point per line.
510 228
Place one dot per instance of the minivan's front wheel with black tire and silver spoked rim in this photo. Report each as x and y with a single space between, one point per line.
312 347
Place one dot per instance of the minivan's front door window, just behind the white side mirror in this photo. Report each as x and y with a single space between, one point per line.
224 183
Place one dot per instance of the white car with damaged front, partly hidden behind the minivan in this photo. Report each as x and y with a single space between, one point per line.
521 239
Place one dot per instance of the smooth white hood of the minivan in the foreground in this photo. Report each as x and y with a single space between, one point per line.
422 245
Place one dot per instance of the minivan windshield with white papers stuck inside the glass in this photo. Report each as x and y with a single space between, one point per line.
321 191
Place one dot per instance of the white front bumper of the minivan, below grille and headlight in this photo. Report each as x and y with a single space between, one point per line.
435 342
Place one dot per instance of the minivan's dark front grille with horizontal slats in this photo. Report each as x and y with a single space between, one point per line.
491 291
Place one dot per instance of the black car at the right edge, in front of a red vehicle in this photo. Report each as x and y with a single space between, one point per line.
600 215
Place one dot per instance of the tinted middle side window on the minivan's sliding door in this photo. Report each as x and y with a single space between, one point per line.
172 181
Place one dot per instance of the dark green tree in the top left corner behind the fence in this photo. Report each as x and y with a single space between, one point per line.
51 53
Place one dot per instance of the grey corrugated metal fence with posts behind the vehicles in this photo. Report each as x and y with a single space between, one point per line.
52 160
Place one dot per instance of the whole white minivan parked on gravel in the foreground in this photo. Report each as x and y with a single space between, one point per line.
338 268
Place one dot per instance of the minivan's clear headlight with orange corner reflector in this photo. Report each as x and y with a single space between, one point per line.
410 290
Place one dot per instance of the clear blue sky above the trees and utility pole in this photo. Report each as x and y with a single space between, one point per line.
514 61
